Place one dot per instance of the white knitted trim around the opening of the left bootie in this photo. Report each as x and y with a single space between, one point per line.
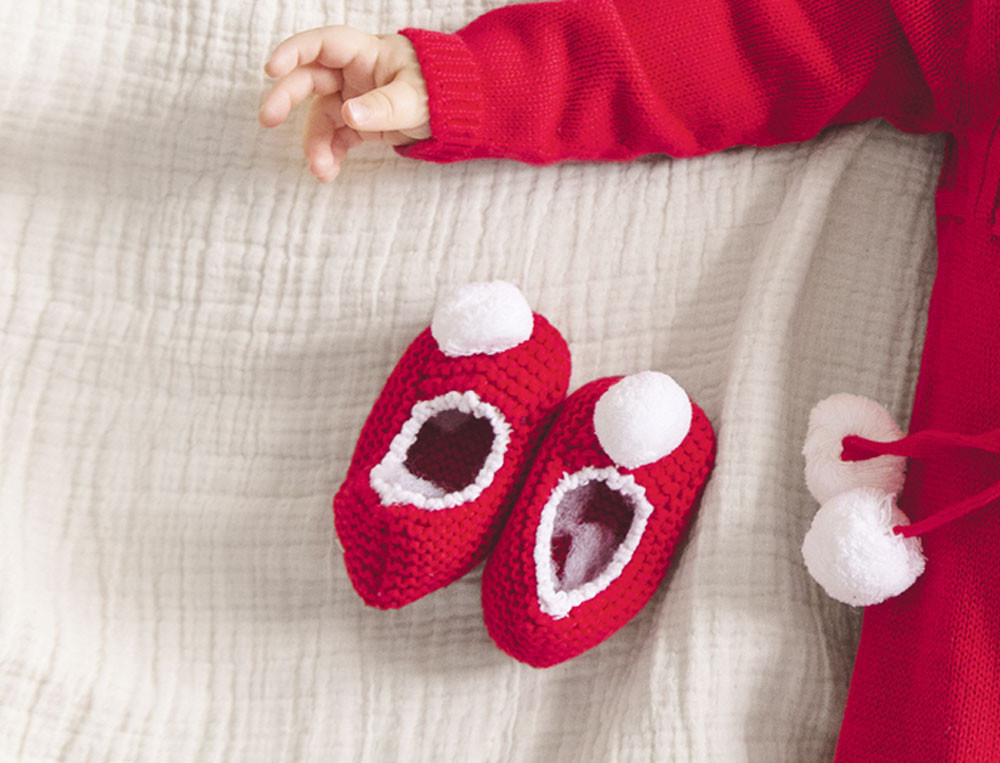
395 484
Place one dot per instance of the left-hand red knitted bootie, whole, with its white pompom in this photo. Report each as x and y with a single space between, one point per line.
447 443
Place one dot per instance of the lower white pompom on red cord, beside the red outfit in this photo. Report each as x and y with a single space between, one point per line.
852 552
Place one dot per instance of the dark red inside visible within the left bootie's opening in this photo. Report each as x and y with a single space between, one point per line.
450 449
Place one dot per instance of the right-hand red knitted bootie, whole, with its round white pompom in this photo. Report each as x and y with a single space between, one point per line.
592 533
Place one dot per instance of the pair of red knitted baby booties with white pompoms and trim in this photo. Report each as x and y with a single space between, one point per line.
473 438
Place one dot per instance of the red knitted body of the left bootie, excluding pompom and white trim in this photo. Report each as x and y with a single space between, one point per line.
397 553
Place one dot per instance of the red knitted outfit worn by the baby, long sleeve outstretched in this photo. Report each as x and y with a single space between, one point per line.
615 79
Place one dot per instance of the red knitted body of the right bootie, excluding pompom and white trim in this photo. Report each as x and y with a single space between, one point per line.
673 484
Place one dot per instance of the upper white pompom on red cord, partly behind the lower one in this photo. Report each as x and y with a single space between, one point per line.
829 423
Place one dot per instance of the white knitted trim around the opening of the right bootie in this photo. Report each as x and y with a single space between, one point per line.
559 603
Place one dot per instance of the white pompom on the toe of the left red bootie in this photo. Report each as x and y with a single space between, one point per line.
482 318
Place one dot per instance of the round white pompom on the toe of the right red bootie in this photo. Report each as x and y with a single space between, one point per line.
641 418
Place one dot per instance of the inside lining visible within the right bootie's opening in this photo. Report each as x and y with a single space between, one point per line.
591 521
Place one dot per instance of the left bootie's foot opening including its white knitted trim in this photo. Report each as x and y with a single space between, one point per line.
446 453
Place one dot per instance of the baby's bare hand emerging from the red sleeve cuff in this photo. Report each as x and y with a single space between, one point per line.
367 87
